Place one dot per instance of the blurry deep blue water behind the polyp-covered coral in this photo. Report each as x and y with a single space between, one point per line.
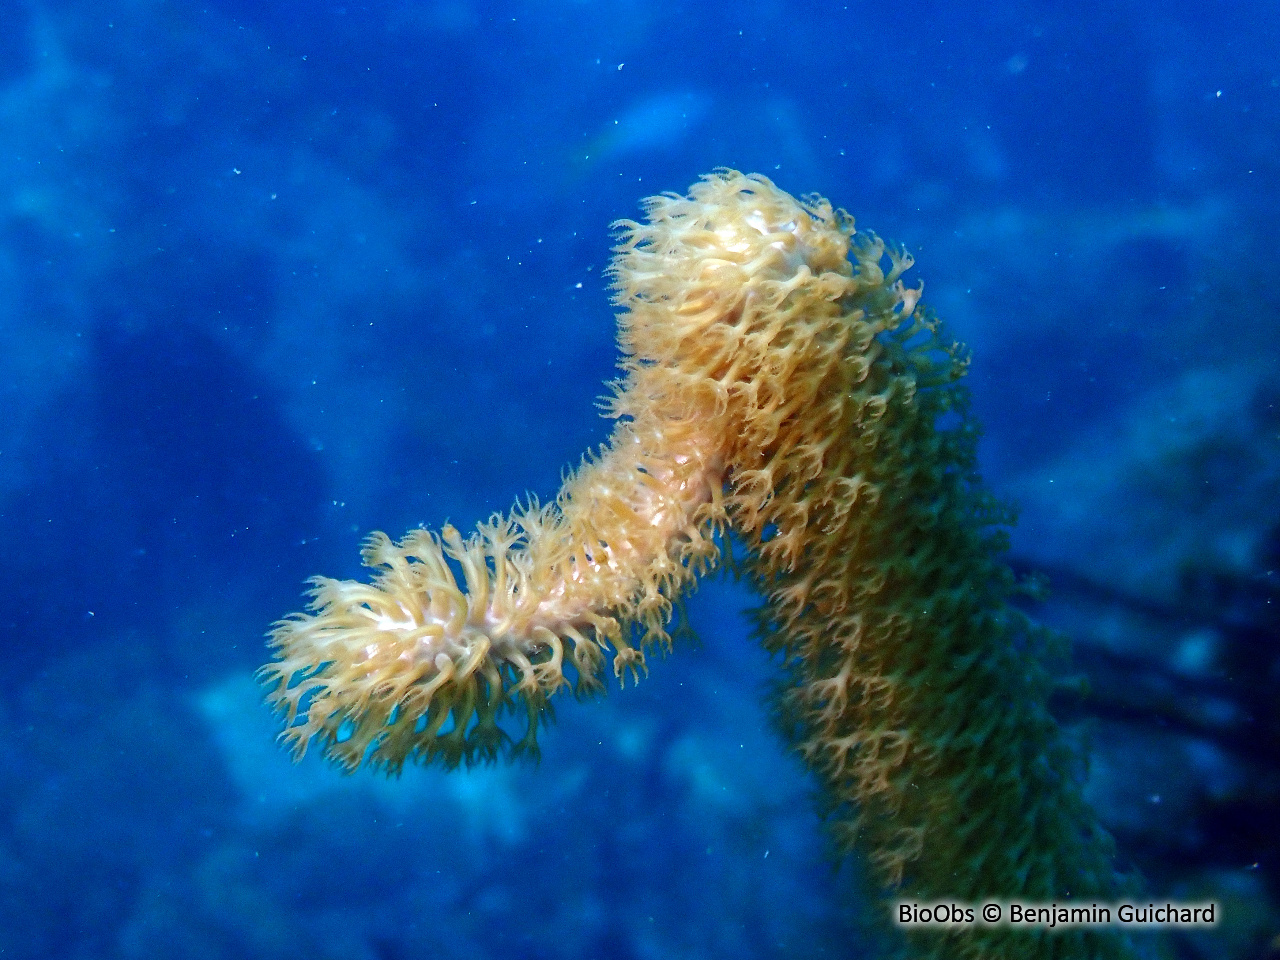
278 275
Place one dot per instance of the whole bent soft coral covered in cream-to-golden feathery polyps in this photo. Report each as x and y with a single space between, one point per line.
784 385
